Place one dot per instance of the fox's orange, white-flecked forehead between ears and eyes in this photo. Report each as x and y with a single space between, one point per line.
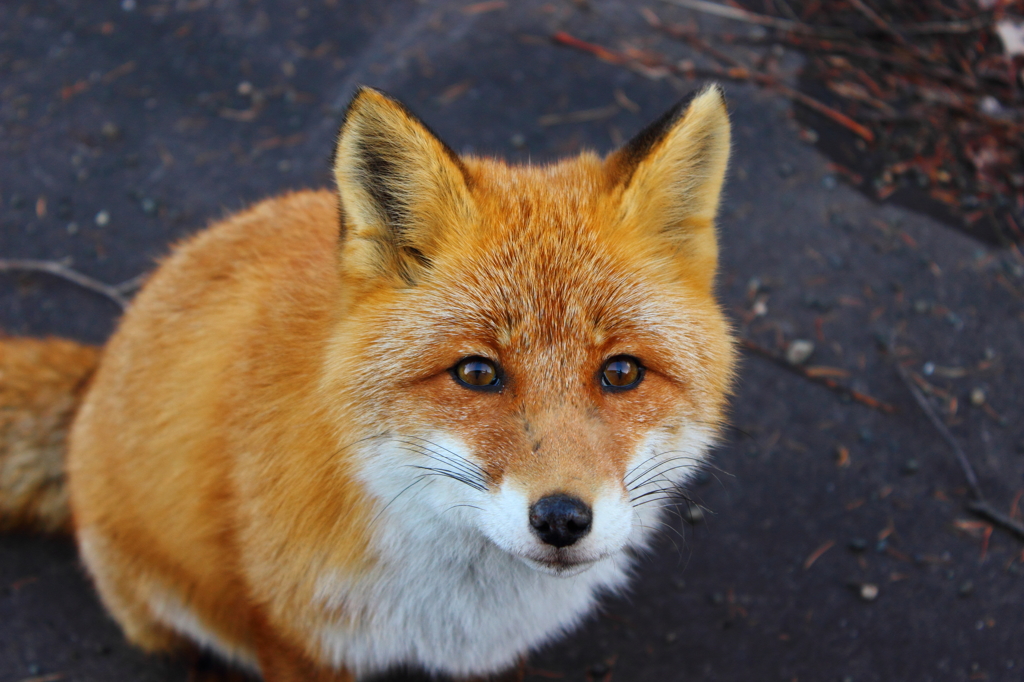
546 266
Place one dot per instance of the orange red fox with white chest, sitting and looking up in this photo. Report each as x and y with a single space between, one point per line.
424 421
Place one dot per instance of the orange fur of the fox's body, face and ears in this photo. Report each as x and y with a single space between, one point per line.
214 464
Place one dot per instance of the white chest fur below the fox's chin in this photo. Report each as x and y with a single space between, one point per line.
447 600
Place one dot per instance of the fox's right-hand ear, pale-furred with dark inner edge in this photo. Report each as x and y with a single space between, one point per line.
671 178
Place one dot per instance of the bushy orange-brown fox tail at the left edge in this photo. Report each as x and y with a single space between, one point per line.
41 385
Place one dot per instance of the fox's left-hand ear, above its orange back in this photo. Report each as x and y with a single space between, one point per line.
401 189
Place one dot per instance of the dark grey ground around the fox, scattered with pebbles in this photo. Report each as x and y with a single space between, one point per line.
126 126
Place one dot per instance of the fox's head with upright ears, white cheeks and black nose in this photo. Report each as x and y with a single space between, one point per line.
534 354
